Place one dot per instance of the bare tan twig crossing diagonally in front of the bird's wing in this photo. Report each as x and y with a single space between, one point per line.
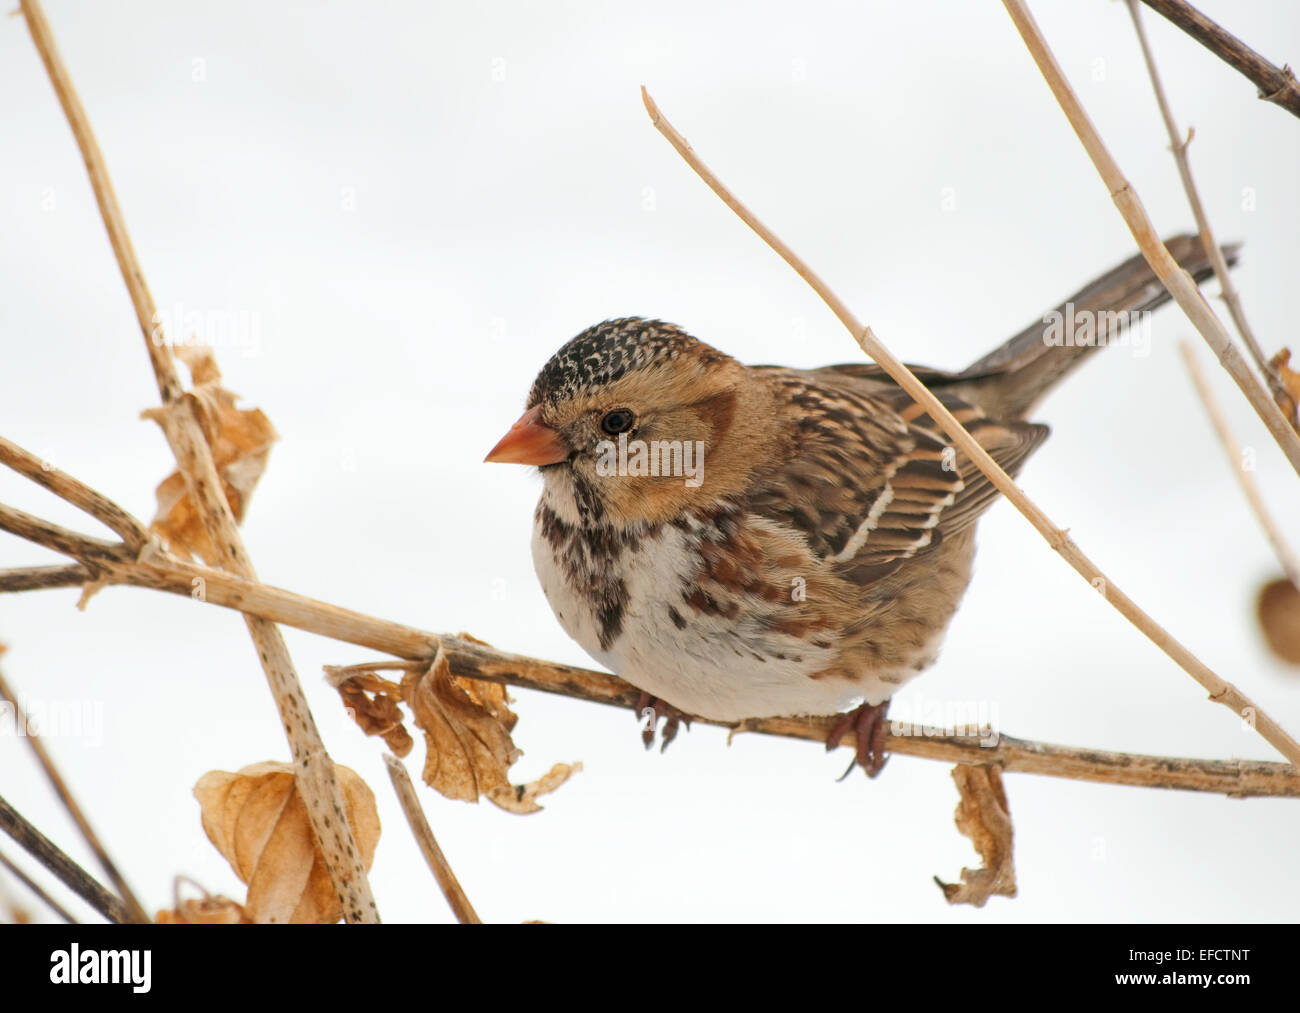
1220 691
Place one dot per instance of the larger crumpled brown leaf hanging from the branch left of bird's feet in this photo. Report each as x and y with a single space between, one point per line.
467 731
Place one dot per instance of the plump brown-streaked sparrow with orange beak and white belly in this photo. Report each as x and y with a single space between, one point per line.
749 542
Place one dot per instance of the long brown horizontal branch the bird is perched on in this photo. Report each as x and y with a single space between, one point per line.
157 570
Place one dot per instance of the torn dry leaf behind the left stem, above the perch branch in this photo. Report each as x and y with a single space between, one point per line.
240 440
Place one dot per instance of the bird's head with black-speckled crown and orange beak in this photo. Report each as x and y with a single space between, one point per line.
645 417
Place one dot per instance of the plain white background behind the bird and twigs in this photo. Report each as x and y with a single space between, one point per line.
415 205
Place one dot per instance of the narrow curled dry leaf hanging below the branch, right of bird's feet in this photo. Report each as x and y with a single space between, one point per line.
985 817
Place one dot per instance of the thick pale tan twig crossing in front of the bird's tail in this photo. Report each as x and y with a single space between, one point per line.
1175 279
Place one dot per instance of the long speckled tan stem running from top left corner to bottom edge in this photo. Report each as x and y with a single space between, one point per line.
314 772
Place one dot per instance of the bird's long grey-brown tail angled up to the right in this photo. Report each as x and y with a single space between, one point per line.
1020 373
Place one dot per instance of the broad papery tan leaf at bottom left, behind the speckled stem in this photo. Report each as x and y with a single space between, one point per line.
259 822
